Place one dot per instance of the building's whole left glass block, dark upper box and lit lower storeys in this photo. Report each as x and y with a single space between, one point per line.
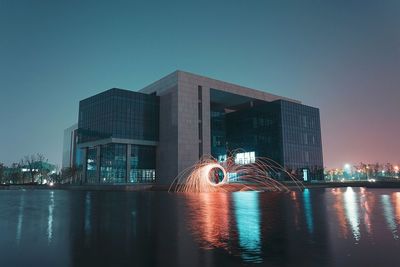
129 118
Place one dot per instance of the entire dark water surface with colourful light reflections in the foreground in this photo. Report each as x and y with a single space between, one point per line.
328 227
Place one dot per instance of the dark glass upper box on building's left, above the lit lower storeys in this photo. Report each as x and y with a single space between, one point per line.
118 113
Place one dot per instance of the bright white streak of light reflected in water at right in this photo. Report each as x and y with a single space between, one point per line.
352 212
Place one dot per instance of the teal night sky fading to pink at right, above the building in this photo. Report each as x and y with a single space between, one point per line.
340 56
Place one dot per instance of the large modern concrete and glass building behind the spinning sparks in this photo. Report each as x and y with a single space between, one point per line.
157 132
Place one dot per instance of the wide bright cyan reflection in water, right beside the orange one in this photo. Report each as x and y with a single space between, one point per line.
247 214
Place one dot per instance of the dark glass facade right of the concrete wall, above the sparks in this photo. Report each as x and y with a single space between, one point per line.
286 132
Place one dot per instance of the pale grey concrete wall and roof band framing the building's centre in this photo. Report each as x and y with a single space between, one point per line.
178 146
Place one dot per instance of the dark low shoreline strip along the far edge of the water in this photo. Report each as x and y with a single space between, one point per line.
154 188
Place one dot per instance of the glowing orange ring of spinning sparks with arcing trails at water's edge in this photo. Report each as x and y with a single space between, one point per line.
209 175
